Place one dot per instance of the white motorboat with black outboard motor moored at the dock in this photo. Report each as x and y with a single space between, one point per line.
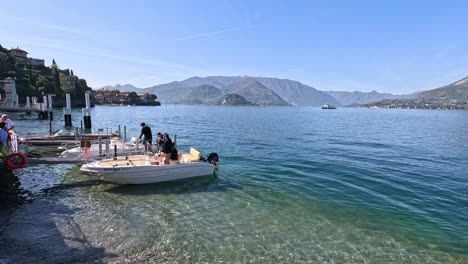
143 169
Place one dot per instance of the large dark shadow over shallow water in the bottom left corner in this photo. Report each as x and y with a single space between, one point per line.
42 231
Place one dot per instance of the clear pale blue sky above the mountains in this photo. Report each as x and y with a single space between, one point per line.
394 46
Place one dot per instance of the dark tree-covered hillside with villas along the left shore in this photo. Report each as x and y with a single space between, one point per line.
30 77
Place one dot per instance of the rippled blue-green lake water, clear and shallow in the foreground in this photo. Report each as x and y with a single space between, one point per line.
296 185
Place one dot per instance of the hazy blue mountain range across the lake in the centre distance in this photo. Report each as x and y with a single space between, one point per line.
255 91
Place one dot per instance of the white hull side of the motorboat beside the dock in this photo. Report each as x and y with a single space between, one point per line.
144 174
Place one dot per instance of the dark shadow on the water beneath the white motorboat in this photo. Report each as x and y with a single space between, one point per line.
210 183
